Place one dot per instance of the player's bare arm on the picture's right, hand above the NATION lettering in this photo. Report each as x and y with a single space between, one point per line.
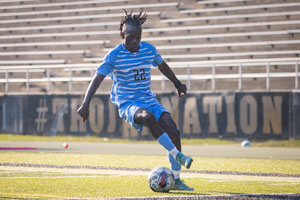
167 71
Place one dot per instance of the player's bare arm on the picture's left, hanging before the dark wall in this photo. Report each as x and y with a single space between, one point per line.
83 110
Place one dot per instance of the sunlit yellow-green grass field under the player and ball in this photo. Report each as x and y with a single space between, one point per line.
50 175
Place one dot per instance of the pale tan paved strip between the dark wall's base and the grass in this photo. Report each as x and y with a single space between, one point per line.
222 151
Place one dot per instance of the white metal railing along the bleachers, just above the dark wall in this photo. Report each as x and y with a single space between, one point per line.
240 64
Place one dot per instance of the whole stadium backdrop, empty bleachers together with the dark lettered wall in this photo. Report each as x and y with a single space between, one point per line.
239 59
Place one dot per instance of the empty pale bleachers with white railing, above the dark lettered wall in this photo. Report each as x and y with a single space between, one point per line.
55 46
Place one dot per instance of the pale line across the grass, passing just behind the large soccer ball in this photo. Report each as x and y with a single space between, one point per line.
145 173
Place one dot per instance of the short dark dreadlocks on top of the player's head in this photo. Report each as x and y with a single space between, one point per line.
135 20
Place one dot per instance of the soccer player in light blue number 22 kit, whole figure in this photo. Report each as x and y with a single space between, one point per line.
129 67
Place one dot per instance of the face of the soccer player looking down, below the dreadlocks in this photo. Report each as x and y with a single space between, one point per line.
132 37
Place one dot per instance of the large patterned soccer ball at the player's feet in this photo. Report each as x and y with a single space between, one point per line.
161 179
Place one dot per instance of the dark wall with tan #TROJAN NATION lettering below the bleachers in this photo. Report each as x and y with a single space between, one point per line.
223 115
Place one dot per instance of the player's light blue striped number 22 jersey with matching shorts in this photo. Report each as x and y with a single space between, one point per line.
131 77
